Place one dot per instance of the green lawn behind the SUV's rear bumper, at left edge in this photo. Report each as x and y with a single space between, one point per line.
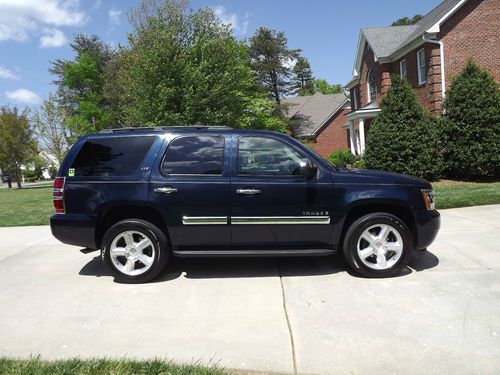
27 206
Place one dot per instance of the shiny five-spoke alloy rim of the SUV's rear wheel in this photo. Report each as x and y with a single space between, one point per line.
132 253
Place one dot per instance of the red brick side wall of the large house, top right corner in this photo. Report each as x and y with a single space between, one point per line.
472 32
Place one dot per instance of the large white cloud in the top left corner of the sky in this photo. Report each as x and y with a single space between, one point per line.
21 18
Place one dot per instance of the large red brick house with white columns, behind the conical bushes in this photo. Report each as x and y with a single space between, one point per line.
428 54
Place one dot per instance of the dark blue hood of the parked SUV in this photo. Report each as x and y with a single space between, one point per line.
372 177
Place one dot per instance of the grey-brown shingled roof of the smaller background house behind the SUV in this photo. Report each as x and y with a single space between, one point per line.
309 113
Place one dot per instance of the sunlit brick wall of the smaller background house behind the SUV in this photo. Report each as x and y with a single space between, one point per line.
333 136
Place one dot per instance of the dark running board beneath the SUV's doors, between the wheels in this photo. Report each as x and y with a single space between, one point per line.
252 253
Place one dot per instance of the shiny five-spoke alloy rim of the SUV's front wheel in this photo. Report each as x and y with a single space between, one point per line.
380 246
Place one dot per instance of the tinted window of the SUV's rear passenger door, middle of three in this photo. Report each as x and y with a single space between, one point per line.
195 155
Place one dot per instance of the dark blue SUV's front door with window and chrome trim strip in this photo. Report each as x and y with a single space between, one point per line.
271 206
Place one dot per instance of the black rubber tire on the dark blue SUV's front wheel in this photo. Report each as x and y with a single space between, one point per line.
353 235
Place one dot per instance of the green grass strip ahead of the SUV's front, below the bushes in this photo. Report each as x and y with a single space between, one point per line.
451 194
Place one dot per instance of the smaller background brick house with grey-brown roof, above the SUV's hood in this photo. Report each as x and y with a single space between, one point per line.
319 119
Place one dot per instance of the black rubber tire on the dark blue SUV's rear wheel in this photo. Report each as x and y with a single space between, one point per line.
159 242
